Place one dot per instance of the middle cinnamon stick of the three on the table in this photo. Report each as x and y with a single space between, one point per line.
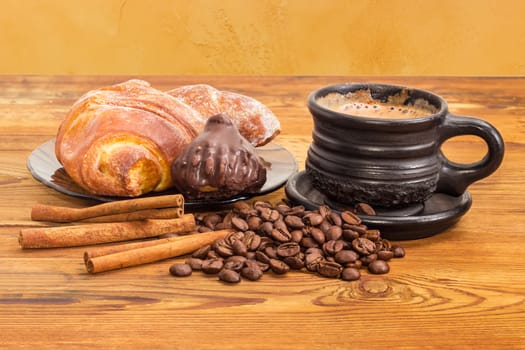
88 234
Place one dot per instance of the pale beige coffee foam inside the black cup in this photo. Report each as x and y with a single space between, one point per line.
361 103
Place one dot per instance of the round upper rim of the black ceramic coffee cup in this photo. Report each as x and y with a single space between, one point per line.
348 87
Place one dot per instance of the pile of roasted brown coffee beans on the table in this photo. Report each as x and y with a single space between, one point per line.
284 237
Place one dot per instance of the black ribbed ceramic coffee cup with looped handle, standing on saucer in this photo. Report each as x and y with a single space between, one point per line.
392 162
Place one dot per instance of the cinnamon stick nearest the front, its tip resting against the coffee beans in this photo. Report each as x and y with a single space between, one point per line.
184 245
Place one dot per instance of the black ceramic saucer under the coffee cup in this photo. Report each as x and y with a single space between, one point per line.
438 213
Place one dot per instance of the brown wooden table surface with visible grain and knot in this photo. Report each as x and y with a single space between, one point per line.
462 288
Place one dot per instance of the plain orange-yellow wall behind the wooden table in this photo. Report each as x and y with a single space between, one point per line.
271 37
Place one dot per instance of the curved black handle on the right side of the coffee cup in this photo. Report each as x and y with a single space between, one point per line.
454 178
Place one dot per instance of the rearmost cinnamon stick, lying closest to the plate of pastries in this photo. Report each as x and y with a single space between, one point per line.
42 212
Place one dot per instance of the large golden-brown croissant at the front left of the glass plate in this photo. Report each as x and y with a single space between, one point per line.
120 140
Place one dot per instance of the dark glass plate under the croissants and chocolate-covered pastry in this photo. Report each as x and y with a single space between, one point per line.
44 167
